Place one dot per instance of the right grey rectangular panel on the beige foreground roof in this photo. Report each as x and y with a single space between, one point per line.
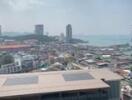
77 76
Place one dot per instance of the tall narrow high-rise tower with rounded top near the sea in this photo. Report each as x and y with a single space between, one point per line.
68 33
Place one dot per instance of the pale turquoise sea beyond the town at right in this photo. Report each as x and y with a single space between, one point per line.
105 40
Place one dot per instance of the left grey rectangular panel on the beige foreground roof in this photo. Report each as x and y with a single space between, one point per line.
21 80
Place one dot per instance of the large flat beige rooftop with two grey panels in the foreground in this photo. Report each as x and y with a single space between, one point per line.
47 82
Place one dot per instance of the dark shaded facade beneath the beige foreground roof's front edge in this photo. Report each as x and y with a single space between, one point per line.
99 94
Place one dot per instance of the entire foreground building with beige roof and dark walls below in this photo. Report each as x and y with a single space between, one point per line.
93 84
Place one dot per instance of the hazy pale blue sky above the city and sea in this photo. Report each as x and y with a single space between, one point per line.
86 16
